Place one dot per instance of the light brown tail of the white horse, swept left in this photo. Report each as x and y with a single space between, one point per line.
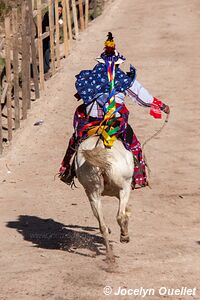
97 157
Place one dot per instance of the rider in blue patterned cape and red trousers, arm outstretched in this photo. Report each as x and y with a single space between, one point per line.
93 88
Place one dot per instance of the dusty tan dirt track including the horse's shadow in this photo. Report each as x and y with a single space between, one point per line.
50 245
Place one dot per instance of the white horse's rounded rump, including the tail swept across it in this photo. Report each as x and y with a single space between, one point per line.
97 165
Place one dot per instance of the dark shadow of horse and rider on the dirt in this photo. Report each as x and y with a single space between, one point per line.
49 234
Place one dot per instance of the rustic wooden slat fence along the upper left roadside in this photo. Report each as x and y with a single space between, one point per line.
23 77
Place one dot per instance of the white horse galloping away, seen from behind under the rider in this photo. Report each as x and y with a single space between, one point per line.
103 171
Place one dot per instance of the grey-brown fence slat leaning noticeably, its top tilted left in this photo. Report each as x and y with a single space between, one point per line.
33 52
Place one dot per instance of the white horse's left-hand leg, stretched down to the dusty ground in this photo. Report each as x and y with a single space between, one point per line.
95 202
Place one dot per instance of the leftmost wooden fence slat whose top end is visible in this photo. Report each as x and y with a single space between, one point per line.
8 77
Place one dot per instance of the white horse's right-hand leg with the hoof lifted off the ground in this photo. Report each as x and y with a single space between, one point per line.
123 215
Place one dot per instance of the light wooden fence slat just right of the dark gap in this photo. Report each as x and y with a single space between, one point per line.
51 32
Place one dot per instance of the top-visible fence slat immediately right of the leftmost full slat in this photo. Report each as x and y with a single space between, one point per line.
16 66
